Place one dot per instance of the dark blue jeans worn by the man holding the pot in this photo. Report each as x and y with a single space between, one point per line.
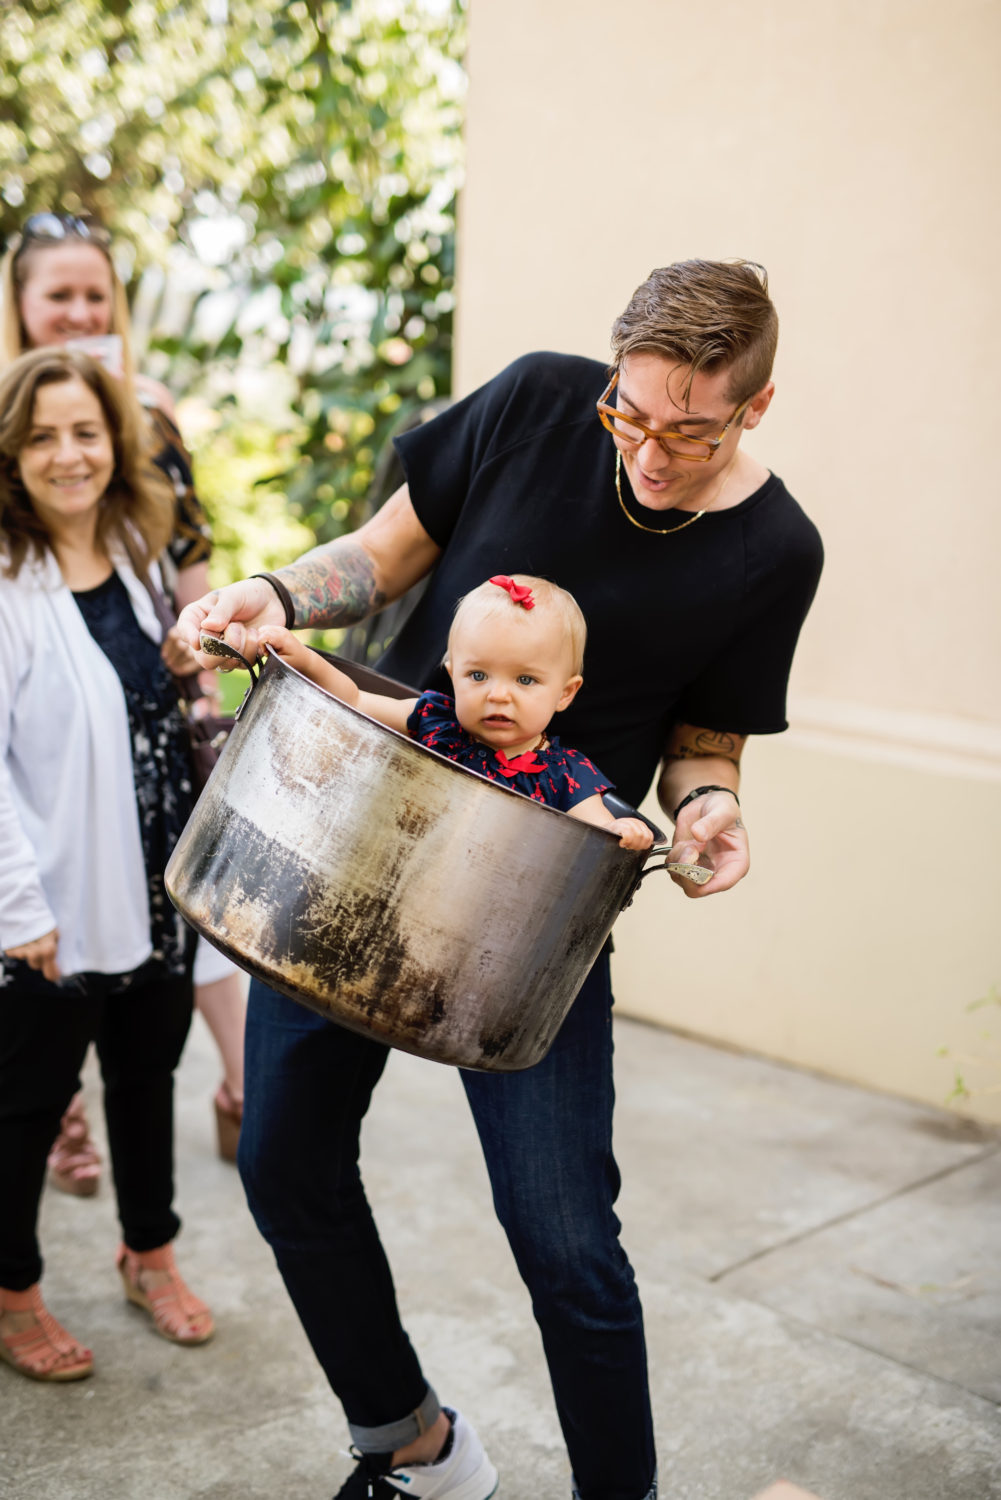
547 1135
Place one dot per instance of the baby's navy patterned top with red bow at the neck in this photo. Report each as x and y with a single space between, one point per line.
555 776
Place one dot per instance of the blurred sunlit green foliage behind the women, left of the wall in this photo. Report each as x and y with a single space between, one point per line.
281 184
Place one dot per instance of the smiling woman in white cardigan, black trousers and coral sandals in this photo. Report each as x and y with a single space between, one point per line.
95 788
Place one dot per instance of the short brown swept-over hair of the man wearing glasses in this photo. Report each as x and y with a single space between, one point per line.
708 316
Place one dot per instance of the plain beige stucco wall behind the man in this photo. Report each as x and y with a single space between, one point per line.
855 151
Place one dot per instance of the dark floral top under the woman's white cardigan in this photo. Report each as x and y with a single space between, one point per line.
161 761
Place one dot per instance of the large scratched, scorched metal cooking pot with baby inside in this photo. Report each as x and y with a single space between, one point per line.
391 890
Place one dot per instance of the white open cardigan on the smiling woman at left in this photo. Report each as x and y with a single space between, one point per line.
71 854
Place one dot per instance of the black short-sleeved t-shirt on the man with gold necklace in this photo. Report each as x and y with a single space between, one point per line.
694 628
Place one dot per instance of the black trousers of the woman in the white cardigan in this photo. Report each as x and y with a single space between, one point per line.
140 1024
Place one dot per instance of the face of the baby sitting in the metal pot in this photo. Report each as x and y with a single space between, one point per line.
511 679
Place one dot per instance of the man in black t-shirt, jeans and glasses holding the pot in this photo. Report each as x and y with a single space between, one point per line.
696 569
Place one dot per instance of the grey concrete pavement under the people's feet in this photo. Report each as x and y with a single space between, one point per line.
820 1270
